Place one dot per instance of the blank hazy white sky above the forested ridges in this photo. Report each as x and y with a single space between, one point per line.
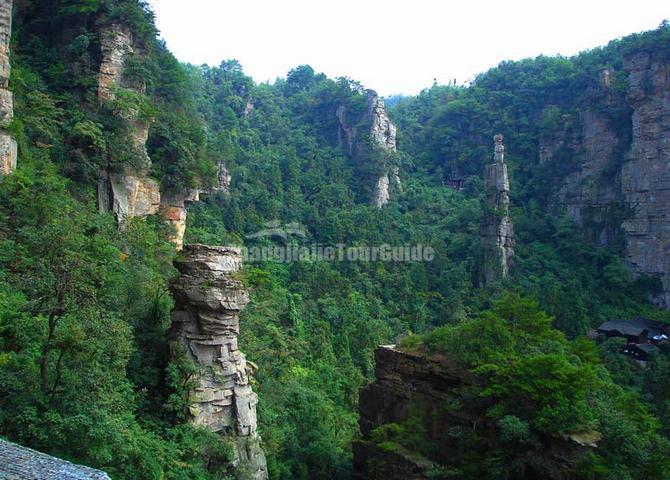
393 46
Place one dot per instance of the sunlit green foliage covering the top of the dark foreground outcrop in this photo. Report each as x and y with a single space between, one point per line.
538 388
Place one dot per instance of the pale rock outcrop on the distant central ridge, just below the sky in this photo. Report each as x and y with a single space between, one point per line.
378 132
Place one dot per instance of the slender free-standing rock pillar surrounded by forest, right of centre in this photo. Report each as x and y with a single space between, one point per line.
496 230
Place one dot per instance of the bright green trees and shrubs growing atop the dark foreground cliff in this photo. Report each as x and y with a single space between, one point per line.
536 387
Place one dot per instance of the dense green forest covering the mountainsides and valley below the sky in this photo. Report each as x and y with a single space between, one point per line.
85 369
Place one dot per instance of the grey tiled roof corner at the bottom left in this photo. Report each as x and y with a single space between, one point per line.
21 463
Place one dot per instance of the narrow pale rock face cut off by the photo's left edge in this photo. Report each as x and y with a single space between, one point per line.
8 147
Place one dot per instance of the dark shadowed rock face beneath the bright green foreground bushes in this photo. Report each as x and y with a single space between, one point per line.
431 398
